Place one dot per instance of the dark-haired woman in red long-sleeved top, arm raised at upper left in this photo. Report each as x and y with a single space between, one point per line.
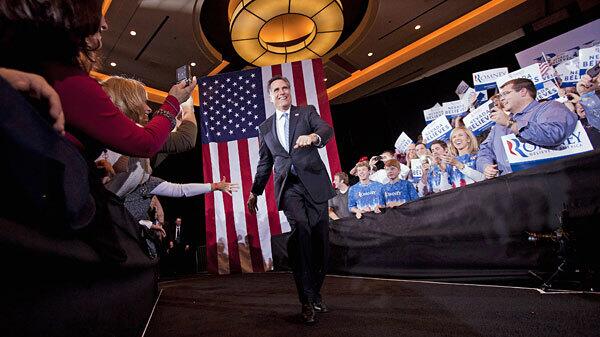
58 40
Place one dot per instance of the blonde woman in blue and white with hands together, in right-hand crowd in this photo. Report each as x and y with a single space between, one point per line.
462 156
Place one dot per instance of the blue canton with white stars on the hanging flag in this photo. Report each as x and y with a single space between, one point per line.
232 106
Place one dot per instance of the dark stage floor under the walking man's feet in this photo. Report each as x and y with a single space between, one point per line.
266 305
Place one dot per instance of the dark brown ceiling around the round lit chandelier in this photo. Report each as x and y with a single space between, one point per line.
171 33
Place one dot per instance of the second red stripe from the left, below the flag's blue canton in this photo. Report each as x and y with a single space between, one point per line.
232 240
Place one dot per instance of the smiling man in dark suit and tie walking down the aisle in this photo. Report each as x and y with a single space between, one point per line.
289 142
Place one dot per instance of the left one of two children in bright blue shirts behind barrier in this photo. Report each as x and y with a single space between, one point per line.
365 196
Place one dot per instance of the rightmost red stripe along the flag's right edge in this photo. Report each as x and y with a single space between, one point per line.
332 153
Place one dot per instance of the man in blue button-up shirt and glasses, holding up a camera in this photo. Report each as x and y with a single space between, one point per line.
545 124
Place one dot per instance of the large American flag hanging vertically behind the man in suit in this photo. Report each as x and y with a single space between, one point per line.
232 106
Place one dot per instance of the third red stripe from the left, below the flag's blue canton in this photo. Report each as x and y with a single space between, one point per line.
251 221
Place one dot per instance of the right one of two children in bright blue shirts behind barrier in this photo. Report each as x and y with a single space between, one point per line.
397 191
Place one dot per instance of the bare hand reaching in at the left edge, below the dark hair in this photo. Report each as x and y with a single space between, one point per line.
37 87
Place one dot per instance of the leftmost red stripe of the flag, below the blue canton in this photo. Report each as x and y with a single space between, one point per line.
212 263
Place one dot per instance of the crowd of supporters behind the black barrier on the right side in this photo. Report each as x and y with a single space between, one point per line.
387 180
